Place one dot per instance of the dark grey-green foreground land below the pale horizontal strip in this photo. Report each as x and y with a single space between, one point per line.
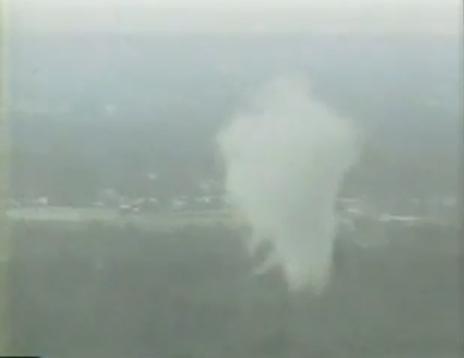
101 291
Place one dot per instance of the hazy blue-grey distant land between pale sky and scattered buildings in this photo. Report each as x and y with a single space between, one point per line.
155 103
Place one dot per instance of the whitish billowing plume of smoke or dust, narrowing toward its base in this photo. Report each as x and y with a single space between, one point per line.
285 158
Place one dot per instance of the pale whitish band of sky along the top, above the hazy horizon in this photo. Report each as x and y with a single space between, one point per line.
238 16
